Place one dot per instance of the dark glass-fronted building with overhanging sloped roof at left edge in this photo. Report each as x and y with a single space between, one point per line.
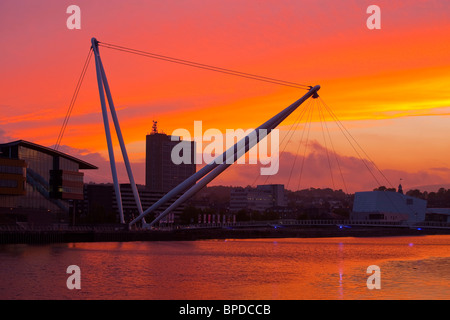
38 184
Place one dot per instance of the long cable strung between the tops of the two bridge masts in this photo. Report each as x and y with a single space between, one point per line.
205 66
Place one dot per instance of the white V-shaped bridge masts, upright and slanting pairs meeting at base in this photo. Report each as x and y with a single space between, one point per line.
199 179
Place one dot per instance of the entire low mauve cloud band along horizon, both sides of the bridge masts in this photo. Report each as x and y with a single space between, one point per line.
320 168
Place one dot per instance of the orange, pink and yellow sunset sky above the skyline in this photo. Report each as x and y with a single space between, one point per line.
389 87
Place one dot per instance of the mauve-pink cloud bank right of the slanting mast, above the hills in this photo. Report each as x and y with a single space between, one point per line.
322 168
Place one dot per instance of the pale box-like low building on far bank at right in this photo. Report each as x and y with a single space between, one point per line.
388 206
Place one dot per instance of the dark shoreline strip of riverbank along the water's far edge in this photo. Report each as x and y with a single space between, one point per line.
43 237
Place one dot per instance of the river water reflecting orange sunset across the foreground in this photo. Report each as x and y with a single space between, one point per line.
273 269
